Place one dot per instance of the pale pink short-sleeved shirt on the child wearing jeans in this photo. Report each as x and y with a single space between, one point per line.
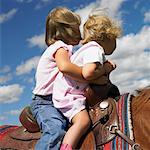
47 69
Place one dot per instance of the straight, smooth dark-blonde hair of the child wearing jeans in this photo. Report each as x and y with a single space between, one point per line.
59 25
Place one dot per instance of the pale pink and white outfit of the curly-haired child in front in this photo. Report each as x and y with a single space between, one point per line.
68 95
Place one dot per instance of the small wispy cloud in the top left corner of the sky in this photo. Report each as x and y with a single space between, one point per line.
6 16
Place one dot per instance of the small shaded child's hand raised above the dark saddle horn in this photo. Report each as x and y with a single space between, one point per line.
109 66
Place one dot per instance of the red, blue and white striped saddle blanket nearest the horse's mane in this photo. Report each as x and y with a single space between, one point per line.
125 124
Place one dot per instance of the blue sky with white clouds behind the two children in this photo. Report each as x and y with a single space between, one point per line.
22 26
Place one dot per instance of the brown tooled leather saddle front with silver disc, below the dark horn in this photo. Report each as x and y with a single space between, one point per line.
103 119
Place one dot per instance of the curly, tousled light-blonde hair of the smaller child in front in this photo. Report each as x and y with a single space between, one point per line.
99 27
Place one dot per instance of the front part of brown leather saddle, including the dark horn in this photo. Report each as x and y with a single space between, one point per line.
103 120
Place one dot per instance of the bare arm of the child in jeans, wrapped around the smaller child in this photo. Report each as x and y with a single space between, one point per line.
66 67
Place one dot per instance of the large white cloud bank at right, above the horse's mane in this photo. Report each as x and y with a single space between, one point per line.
133 62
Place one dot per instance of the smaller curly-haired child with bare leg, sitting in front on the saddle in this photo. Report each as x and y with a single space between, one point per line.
68 95
